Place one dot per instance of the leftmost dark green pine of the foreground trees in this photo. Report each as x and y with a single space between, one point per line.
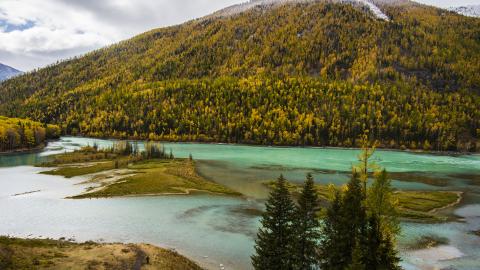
276 237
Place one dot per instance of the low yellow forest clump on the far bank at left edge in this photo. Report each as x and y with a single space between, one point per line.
24 134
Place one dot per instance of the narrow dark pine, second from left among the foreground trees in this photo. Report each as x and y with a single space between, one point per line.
307 227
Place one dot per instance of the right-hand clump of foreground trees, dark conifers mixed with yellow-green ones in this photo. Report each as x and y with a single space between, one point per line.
361 224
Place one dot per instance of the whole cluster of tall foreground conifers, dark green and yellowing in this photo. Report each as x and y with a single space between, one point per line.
358 231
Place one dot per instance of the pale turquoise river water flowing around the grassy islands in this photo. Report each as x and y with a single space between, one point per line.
216 229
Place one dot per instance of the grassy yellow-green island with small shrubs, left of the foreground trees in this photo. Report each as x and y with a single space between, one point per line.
123 170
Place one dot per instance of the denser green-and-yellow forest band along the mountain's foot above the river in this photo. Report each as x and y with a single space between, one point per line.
279 112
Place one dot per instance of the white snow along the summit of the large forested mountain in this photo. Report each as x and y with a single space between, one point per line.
255 3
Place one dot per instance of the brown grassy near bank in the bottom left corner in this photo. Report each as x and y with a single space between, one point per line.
16 253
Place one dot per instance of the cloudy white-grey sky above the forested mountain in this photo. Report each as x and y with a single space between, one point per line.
35 33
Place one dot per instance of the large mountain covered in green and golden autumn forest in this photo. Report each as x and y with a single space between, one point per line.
296 73
